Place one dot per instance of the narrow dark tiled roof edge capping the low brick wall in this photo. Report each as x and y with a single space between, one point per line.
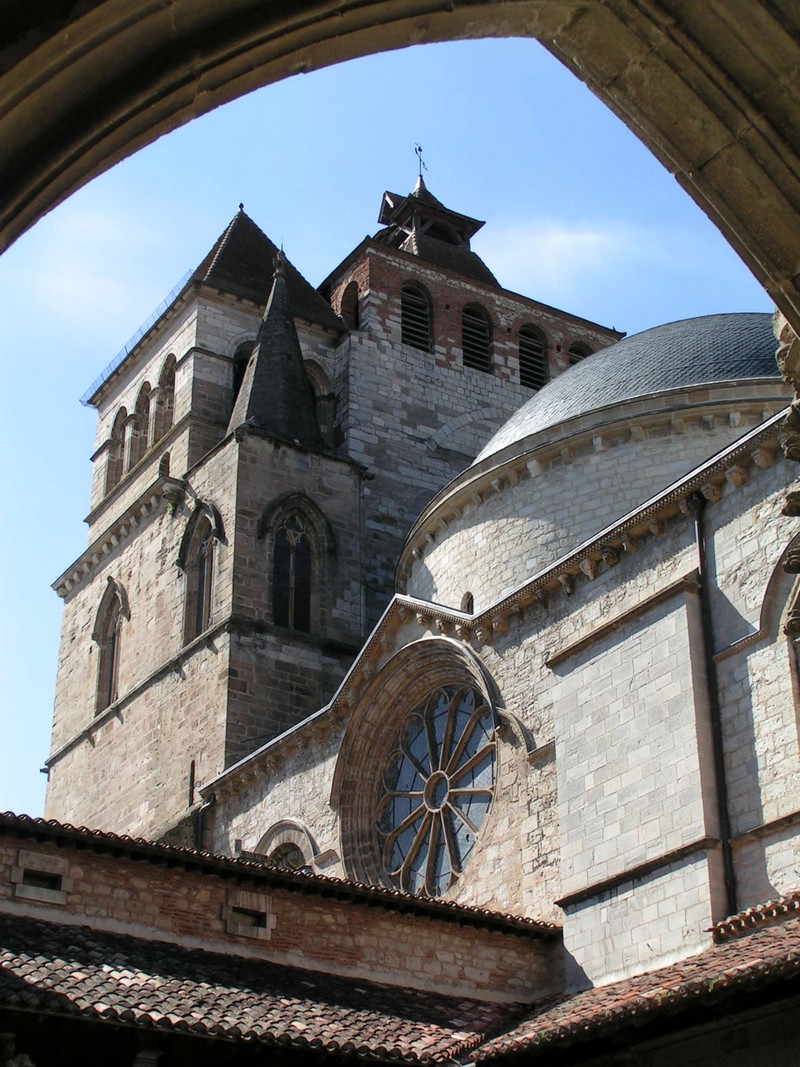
101 841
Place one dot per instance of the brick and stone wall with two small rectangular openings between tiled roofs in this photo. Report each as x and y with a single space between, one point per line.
310 930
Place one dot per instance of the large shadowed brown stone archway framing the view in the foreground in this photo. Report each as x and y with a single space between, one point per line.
710 88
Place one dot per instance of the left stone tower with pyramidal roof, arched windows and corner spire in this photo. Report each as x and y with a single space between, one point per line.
220 598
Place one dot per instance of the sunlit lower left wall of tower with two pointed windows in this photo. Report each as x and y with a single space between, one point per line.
171 696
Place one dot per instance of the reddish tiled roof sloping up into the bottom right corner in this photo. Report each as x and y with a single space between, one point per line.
740 966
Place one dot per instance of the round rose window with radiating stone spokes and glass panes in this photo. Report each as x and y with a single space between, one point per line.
438 788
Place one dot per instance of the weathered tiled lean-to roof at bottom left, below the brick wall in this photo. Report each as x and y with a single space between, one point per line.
99 976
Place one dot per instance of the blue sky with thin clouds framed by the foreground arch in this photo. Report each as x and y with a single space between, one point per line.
579 215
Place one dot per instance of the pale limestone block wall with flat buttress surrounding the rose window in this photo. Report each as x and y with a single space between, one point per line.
606 792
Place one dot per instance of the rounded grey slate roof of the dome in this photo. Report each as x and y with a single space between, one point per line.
702 352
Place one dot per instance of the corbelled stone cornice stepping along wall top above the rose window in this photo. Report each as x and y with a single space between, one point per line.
605 550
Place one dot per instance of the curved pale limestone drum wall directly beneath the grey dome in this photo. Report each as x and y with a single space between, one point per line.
517 520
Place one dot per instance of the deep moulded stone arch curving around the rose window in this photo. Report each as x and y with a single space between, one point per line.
407 679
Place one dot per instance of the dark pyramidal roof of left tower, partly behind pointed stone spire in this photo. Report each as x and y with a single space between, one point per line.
243 262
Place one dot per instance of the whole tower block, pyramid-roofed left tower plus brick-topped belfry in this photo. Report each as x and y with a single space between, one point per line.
262 453
